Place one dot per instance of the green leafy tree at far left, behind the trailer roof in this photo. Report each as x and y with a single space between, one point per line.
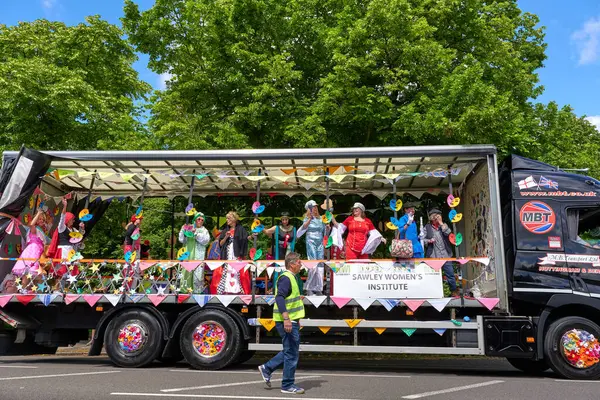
68 87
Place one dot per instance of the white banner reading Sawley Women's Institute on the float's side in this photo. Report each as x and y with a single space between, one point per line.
369 280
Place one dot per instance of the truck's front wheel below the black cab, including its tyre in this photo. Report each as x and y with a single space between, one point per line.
572 348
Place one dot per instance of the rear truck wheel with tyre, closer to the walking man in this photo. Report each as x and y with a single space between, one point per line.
210 339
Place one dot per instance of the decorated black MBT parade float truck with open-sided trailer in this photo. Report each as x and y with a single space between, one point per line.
525 258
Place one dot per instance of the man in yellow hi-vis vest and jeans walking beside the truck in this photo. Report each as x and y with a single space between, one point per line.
287 312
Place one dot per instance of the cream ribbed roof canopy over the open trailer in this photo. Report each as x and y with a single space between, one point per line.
285 171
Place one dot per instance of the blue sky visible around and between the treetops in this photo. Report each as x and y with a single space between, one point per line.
571 74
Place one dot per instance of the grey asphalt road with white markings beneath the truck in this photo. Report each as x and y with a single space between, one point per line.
77 377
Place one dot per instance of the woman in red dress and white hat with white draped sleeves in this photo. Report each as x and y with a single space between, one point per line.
362 238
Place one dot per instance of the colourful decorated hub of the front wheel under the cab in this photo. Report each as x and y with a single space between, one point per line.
580 348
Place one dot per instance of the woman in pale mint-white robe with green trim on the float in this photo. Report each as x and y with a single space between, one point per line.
195 237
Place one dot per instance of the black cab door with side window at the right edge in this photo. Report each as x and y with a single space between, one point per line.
582 248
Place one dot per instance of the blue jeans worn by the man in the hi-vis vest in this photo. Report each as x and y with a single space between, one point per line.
288 357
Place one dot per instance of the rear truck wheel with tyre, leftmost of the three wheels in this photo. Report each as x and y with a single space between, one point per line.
133 339
